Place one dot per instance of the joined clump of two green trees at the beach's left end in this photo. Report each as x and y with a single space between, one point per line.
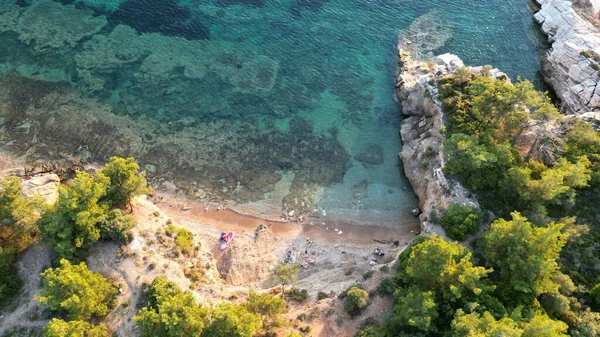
85 210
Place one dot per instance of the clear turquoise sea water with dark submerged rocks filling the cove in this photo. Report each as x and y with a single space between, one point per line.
280 102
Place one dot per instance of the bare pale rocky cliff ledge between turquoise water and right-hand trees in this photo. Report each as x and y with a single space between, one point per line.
422 135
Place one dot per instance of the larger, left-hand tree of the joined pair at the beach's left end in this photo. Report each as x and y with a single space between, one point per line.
72 226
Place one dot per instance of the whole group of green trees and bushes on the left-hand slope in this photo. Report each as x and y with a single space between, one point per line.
89 209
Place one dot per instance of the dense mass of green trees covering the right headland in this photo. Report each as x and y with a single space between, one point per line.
531 271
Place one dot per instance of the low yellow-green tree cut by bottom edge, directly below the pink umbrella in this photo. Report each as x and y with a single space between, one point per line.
229 320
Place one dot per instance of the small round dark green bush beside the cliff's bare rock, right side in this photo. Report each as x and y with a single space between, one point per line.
459 221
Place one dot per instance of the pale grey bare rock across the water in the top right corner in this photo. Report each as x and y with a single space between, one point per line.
572 65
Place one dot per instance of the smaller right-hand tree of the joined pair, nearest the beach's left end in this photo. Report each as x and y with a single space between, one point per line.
125 182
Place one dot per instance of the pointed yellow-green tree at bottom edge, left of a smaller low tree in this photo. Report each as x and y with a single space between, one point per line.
171 312
